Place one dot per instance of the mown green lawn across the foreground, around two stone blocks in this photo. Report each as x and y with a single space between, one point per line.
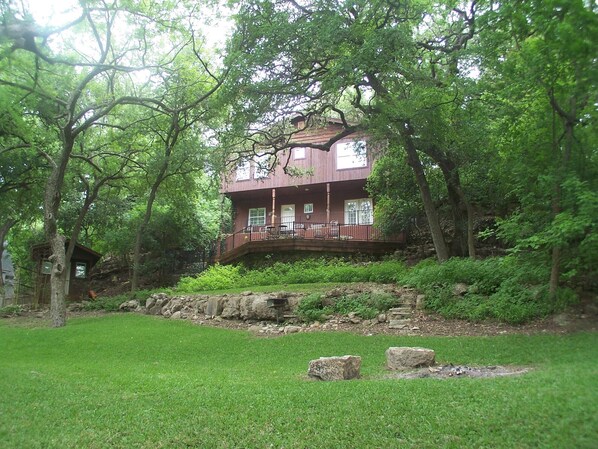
131 381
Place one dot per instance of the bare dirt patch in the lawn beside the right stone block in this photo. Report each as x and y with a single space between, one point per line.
459 371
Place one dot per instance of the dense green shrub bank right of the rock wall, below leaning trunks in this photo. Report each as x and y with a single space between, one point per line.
509 289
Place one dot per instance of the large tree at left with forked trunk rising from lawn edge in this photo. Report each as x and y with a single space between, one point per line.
76 90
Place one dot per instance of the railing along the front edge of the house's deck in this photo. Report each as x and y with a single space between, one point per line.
305 230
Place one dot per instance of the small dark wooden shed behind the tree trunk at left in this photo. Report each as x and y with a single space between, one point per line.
78 278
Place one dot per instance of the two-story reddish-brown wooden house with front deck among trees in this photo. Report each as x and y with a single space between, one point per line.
322 206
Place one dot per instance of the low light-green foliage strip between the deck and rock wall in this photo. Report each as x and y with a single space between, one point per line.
301 272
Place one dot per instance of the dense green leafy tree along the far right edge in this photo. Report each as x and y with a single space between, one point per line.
546 96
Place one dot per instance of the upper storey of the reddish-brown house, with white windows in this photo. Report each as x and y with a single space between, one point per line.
348 159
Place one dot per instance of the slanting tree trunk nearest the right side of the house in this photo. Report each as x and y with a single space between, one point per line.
424 188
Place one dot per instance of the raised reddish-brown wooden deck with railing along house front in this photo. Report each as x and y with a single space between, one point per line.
313 238
